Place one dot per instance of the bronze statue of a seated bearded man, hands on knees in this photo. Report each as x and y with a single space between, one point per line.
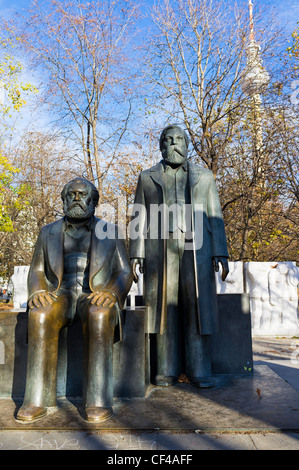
74 272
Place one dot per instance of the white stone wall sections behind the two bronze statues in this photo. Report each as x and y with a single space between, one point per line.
272 287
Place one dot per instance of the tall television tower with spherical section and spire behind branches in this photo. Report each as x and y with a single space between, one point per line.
255 82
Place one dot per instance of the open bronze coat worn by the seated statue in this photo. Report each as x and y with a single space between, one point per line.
109 268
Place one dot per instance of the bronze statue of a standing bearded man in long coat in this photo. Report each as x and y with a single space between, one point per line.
179 247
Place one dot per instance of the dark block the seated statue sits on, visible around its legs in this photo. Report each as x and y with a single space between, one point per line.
130 356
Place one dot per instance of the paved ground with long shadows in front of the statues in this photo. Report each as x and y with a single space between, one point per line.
254 412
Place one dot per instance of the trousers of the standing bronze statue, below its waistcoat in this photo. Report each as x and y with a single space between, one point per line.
181 349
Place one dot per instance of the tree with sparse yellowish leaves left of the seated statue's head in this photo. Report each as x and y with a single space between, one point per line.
43 168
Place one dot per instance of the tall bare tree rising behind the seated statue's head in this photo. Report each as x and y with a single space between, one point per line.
80 48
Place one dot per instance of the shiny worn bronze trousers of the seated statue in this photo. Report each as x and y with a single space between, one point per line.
44 325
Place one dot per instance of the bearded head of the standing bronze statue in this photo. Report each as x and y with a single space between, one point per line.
174 144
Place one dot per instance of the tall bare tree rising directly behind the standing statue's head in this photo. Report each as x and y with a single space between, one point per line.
197 62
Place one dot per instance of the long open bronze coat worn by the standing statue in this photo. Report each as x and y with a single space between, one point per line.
204 196
